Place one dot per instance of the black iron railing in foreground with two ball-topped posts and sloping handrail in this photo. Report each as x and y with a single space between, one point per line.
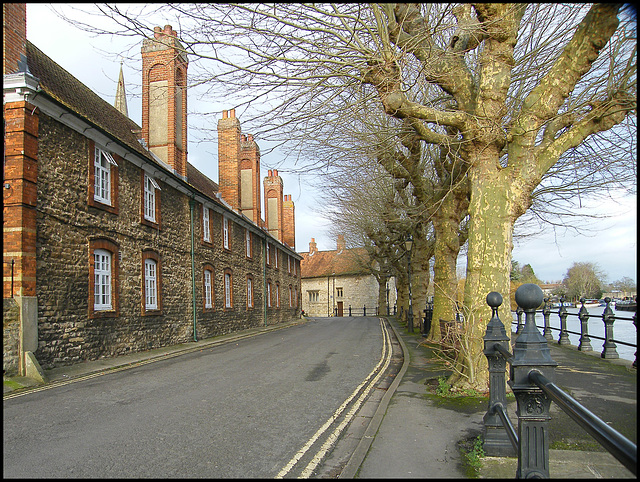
532 375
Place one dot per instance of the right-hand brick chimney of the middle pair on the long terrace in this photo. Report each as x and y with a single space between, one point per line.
250 179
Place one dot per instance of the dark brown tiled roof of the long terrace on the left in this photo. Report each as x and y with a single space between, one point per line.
77 97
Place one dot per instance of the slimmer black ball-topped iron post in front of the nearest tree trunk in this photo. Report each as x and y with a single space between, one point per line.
496 440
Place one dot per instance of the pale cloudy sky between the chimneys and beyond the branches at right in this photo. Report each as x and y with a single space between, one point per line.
611 243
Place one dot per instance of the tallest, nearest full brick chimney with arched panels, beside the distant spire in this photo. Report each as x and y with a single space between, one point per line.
164 98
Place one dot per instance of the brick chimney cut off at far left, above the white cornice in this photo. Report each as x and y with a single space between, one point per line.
14 37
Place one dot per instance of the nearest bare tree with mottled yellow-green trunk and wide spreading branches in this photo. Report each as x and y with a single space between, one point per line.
527 96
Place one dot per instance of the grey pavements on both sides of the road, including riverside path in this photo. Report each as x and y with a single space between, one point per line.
415 433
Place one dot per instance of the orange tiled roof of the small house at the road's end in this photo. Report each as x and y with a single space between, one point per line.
326 263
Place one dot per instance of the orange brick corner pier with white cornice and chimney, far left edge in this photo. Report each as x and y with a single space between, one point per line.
20 198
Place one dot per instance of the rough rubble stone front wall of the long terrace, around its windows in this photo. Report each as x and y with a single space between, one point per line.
65 226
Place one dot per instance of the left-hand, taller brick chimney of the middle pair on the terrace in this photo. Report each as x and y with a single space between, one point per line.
229 184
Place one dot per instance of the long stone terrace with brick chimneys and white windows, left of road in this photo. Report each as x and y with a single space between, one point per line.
113 243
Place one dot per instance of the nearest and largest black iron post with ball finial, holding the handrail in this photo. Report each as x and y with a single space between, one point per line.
531 352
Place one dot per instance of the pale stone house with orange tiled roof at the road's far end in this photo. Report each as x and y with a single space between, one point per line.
333 282
